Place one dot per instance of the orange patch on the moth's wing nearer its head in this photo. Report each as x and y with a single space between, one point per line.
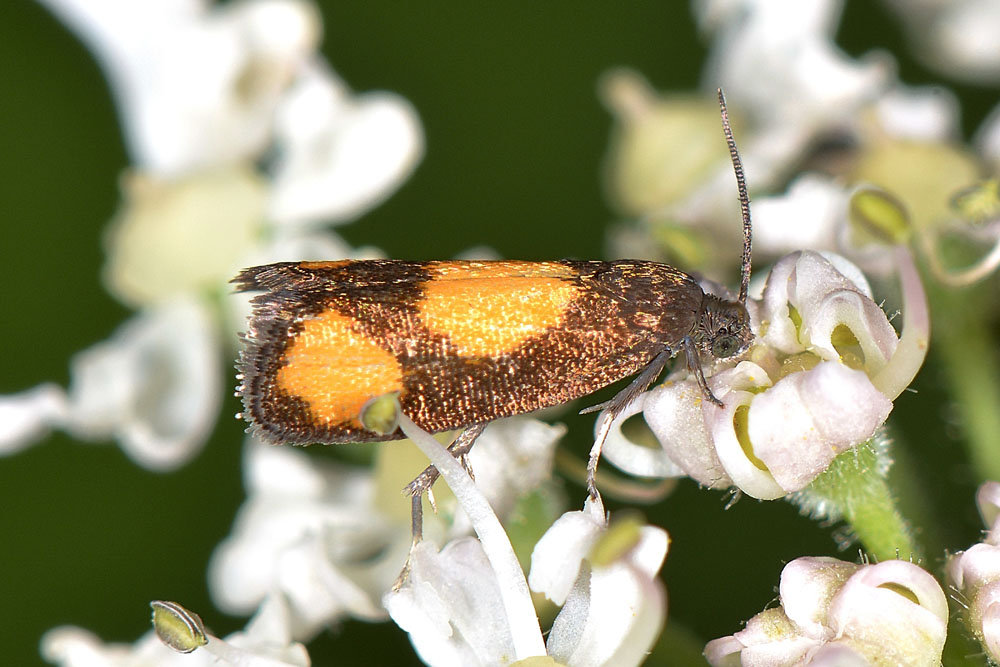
487 310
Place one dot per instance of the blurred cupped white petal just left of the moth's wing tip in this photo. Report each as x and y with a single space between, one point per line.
154 386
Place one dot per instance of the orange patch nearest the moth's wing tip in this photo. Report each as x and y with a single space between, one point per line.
336 370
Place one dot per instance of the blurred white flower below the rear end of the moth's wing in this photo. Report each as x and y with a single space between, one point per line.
312 532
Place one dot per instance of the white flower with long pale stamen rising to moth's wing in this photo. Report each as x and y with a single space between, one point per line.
468 604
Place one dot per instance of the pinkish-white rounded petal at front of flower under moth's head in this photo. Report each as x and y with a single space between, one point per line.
800 424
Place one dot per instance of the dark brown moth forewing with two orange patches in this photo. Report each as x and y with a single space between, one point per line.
462 342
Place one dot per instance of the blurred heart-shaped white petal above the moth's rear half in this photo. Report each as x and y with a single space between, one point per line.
340 156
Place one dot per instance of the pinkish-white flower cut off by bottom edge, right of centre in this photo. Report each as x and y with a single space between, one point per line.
837 613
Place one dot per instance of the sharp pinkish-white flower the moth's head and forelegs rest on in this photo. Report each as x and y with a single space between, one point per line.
821 378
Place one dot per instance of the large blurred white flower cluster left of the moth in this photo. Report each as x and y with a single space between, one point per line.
207 95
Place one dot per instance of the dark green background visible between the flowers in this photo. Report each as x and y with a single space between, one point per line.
515 135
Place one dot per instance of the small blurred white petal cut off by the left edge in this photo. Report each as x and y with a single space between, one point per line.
28 416
